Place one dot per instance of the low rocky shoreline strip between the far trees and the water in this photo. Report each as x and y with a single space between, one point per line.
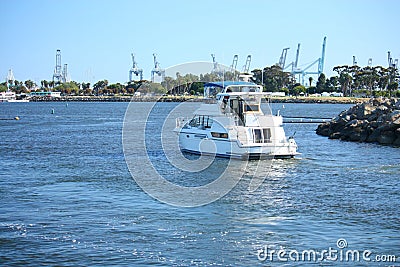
286 99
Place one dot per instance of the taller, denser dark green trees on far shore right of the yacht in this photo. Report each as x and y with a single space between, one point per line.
351 81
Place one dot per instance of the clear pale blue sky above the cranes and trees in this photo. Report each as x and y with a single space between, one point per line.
97 38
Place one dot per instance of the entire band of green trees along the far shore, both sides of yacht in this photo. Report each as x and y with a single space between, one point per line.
351 81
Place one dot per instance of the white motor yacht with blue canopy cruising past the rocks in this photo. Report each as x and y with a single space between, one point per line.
230 123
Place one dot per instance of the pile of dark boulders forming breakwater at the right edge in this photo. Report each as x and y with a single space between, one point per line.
375 121
